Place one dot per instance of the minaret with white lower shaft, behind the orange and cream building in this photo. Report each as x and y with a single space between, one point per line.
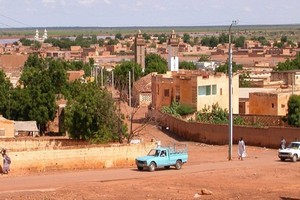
173 52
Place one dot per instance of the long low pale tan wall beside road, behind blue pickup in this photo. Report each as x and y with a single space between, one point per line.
80 158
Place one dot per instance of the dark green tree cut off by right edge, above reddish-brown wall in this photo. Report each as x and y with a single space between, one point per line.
293 116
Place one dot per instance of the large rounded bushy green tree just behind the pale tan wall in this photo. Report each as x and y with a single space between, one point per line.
91 116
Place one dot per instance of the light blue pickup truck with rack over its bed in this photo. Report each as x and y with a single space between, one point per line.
163 157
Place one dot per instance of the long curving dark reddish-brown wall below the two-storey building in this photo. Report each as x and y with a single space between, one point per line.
218 134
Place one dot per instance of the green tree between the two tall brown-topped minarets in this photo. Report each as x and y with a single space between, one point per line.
155 63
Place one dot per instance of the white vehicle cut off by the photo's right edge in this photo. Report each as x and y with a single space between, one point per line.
292 152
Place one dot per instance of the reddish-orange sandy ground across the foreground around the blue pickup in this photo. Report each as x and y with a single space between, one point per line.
260 176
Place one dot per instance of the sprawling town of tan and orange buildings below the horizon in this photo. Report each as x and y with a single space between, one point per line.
196 66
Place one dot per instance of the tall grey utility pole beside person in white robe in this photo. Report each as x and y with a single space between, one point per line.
230 126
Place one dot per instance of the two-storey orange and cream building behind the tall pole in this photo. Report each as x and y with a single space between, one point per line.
195 88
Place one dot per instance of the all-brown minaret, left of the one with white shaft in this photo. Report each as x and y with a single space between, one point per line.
140 50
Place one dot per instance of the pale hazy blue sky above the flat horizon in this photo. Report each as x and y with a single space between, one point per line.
134 13
